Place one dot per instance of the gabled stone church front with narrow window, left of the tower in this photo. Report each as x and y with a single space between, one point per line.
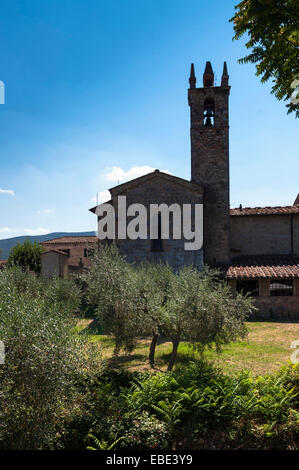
156 188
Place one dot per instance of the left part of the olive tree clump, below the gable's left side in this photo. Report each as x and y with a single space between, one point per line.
113 288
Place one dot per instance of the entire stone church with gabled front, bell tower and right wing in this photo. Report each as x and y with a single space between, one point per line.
257 249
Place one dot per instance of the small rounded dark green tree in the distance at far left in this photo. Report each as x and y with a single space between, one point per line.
26 255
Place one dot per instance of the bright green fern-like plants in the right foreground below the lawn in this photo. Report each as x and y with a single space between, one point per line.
200 393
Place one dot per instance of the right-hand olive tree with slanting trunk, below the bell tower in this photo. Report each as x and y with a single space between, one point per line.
201 309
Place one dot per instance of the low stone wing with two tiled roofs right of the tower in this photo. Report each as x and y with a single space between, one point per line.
265 258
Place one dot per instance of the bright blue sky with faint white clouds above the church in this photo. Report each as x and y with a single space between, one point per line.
97 90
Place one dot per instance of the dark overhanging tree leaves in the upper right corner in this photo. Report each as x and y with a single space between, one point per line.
272 27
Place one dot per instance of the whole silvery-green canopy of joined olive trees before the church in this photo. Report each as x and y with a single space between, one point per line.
133 302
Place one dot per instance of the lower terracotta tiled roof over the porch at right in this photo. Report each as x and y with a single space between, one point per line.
263 266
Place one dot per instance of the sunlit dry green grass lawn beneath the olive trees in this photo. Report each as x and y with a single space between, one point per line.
266 349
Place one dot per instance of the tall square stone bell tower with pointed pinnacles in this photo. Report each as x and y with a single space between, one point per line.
210 160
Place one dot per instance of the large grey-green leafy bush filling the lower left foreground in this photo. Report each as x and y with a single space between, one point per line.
43 360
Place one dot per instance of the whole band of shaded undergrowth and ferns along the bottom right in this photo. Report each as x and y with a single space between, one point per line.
181 408
